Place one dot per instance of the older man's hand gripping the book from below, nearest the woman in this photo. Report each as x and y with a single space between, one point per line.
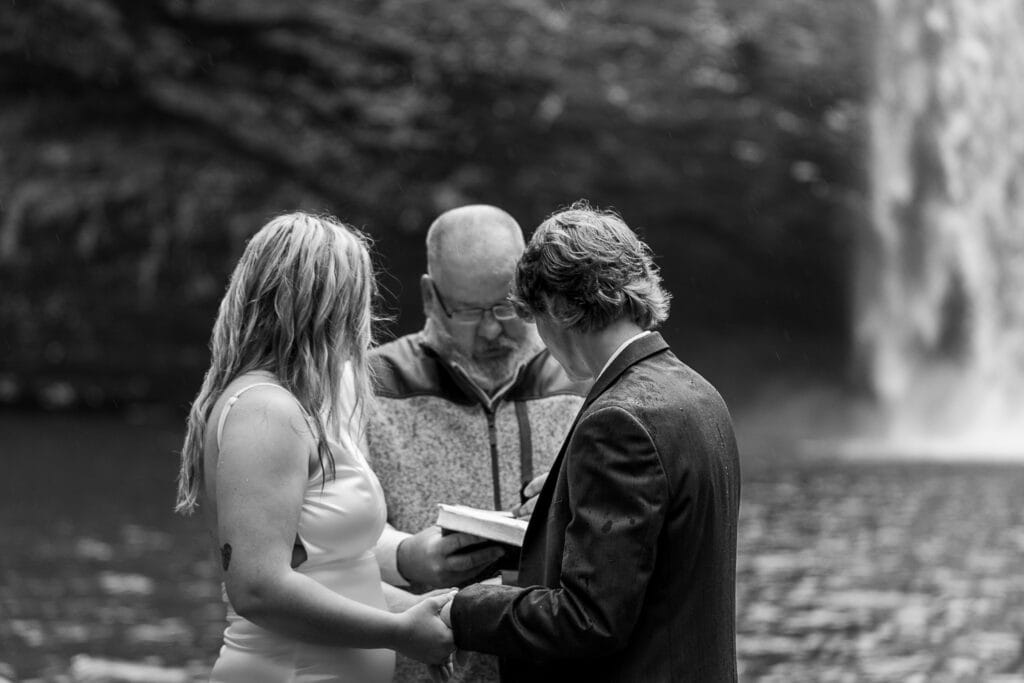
433 560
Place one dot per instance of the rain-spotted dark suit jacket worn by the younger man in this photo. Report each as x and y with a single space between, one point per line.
628 569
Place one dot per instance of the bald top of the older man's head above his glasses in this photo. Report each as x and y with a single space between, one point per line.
477 242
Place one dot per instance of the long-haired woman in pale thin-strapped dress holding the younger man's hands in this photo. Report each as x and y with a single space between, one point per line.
271 459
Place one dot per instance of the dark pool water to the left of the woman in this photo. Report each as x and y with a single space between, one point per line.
93 560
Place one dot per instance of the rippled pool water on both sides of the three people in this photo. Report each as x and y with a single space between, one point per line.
847 572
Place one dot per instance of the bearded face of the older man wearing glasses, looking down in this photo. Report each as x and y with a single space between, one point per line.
489 350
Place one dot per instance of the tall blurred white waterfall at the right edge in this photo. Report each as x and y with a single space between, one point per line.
938 300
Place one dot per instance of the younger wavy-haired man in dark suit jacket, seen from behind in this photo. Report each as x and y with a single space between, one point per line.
628 569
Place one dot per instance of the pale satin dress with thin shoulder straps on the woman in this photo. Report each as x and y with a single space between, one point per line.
339 525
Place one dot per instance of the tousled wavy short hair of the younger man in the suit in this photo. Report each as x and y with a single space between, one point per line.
585 269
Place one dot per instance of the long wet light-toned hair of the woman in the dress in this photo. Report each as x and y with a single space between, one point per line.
298 307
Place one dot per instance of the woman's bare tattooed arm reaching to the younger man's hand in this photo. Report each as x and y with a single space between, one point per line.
262 477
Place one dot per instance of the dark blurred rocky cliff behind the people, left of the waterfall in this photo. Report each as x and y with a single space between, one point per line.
142 143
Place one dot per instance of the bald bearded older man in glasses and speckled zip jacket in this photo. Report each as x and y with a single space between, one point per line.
472 411
